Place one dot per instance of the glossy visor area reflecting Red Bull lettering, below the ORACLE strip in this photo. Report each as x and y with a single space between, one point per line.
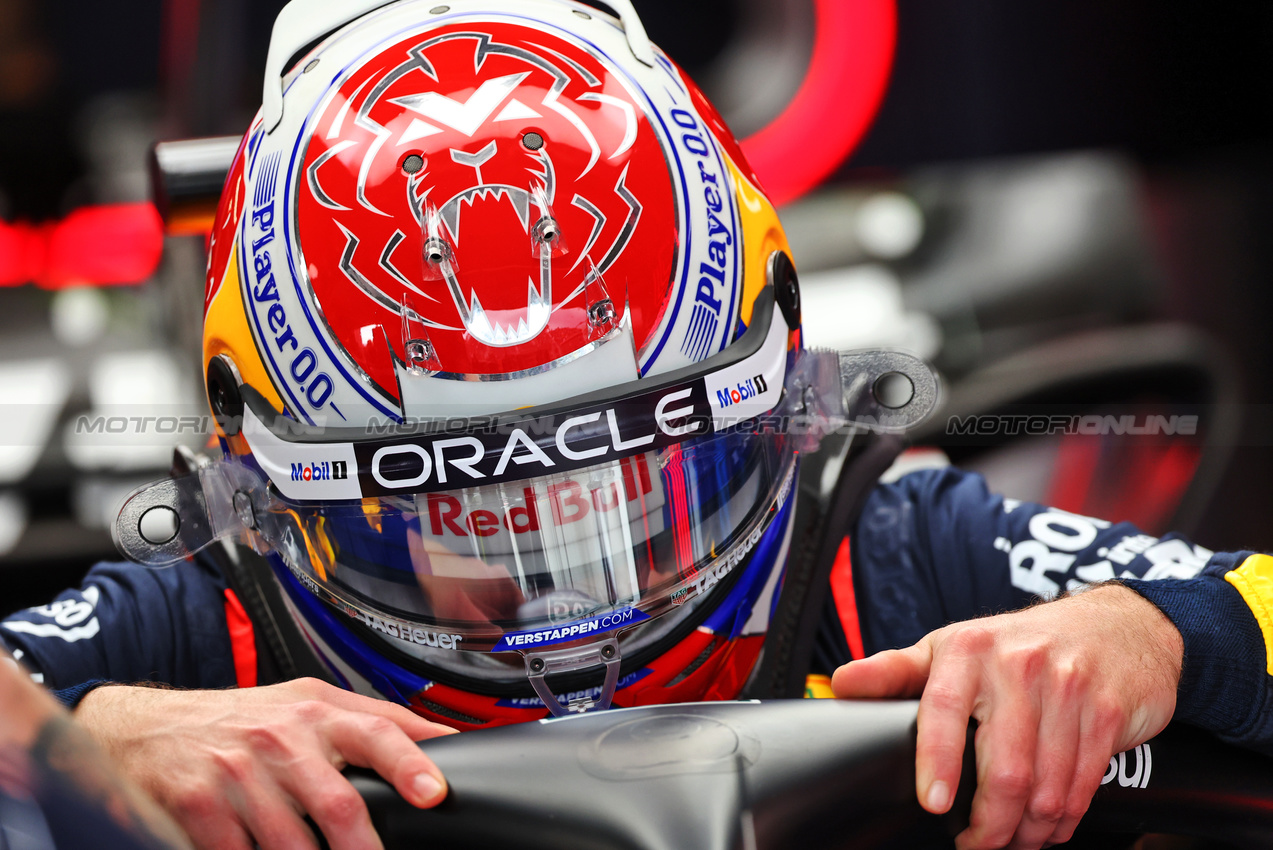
510 558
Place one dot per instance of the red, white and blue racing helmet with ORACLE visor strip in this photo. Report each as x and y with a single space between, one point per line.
498 324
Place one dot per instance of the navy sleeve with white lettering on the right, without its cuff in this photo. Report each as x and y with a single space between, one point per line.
936 548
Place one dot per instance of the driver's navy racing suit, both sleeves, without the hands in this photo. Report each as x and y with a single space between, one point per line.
931 549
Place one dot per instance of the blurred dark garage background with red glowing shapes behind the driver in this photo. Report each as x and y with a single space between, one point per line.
1065 204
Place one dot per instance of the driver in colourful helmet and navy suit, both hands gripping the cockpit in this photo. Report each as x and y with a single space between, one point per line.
495 306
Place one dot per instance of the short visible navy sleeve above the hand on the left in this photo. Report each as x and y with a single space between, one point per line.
129 624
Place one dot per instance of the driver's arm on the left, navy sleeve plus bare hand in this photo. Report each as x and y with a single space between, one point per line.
218 760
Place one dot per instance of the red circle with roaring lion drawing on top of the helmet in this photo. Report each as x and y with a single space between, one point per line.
479 184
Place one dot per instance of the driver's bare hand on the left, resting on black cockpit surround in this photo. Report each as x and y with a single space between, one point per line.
245 765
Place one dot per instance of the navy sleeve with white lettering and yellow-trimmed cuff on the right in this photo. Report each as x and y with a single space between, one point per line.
939 548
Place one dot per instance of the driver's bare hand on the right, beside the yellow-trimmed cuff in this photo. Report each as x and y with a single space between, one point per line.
1056 689
